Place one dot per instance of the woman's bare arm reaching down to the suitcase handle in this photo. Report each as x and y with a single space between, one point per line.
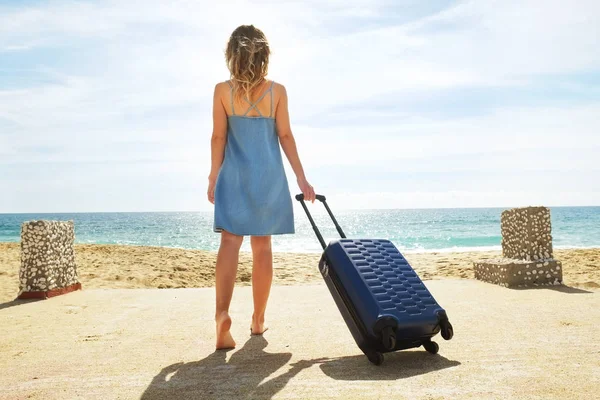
288 143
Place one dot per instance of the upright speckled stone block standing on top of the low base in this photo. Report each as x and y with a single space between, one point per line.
526 233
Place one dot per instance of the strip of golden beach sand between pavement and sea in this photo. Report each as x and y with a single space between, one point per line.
129 267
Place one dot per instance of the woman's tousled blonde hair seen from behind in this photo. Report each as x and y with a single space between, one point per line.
247 57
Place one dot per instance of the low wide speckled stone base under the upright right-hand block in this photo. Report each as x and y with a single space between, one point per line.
518 273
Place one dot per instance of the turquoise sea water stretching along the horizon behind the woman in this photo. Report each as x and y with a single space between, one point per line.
411 230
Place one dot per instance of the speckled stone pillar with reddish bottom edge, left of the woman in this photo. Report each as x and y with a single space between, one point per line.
47 259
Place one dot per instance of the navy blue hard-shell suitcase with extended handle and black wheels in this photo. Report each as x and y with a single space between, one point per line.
383 301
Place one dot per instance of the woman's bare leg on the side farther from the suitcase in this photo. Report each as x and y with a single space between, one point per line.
225 273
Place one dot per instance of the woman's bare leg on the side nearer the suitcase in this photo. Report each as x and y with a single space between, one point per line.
262 276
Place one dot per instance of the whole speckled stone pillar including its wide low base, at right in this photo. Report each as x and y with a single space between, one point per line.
526 251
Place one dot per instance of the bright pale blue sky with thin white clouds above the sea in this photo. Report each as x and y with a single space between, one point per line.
106 105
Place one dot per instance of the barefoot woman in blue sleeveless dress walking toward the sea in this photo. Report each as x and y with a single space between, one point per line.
247 182
